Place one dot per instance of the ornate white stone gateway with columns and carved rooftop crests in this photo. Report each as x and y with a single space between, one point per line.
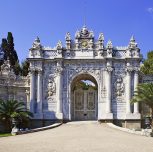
54 73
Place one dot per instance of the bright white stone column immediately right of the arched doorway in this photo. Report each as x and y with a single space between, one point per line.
109 114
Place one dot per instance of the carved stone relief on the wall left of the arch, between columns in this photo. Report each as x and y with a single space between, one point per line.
51 86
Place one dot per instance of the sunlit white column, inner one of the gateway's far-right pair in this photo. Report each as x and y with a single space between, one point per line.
128 90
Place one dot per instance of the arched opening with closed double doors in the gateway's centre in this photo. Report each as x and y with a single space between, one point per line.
84 98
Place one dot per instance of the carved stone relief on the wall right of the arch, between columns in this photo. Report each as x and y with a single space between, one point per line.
119 87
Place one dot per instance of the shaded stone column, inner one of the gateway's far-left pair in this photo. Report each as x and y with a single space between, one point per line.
39 92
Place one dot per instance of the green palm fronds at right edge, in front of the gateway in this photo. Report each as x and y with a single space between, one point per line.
144 94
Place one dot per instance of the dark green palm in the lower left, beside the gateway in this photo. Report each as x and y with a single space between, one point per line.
10 109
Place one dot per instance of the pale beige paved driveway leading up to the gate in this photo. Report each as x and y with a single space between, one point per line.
77 137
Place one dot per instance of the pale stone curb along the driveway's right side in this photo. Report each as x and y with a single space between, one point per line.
143 132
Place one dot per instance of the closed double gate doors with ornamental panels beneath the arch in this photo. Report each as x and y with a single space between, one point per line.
85 104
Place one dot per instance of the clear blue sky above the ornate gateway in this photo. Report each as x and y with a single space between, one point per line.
51 19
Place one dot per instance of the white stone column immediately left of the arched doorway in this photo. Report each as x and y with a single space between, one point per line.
59 91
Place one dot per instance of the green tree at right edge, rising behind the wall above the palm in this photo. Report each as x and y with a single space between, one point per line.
147 67
